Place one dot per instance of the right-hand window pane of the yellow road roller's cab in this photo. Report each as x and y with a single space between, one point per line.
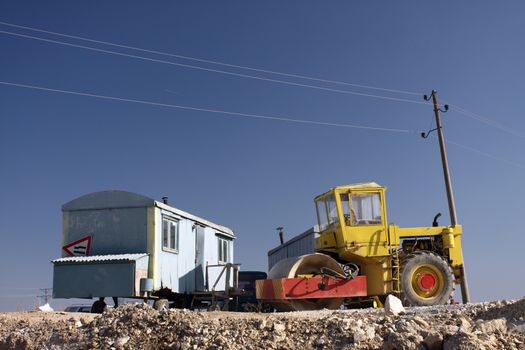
365 209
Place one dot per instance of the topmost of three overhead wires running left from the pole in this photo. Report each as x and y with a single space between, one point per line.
300 76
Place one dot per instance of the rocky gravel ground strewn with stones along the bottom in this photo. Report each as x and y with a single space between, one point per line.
494 325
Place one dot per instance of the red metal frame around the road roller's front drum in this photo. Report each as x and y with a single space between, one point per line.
310 288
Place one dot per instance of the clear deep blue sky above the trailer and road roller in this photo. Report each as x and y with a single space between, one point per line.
254 175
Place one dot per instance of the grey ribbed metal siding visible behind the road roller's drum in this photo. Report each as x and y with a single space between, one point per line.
299 245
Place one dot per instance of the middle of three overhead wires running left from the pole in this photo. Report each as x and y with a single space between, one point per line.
388 98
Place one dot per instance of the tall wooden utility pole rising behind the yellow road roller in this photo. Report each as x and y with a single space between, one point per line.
465 293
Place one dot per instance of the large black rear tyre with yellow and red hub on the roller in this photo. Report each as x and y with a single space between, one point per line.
426 279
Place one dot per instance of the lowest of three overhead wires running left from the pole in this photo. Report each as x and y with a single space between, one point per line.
235 114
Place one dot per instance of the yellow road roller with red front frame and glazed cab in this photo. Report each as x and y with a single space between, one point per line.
360 256
